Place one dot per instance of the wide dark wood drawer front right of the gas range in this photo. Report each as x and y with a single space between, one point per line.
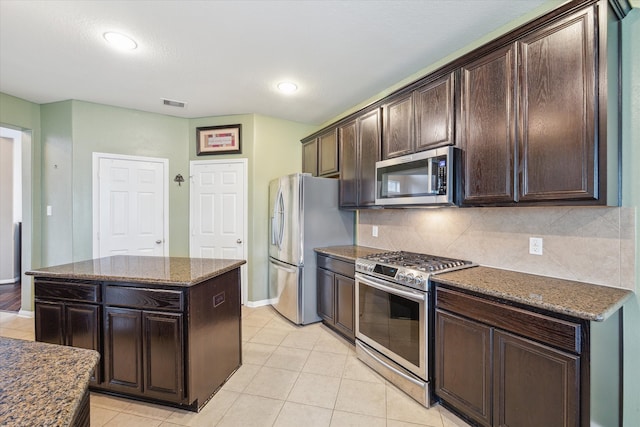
556 332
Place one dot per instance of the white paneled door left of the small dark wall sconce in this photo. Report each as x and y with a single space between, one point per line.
130 206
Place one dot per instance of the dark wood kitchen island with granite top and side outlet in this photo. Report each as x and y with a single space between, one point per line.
167 328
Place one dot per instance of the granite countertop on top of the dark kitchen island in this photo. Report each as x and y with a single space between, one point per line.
141 269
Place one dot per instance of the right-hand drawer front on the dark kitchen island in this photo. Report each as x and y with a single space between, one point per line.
144 298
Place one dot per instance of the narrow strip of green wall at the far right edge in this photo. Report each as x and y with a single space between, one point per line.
631 197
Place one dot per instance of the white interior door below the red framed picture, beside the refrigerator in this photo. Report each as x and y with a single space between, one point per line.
218 211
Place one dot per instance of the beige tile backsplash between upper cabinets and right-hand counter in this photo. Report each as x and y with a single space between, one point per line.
594 245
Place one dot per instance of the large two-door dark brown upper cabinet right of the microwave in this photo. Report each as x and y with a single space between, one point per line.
528 123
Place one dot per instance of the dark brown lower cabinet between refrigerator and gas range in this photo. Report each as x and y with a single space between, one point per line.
336 294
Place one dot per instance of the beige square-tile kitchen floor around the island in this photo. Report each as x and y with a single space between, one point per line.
291 376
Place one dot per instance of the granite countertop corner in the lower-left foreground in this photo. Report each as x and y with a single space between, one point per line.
42 384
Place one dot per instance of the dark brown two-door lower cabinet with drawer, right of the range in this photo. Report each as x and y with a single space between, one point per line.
499 365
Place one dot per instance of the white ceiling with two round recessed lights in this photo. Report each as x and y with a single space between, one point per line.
225 57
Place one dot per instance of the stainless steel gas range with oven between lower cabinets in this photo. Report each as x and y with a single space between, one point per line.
393 321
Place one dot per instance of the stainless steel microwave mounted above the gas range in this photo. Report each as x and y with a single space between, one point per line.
424 178
